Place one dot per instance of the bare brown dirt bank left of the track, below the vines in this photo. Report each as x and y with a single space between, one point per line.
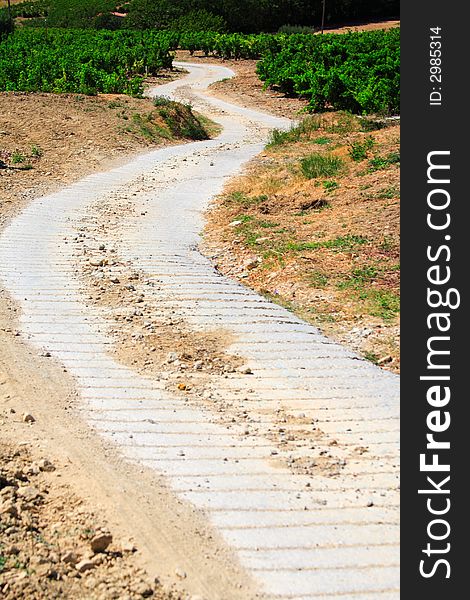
49 140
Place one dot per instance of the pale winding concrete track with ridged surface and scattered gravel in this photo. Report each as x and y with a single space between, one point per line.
307 496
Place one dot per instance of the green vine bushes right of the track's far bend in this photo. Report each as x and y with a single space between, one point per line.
358 72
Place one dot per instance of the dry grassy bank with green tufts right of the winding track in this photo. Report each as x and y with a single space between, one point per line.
314 225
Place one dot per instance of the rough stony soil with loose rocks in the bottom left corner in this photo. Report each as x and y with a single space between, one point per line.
52 545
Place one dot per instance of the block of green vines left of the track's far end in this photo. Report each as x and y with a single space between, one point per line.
76 61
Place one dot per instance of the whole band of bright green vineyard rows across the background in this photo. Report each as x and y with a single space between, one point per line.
355 72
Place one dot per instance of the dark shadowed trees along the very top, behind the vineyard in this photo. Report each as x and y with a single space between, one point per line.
247 16
